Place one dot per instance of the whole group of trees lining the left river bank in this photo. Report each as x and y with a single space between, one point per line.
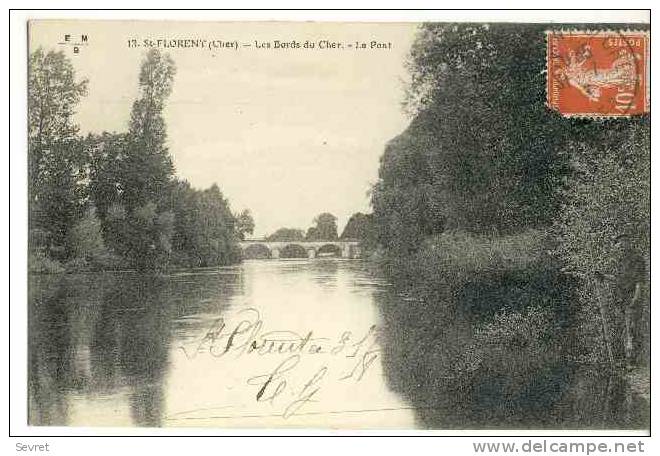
111 200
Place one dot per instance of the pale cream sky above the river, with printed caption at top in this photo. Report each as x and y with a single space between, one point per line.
286 133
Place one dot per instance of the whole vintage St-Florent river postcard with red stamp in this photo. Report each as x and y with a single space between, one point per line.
339 225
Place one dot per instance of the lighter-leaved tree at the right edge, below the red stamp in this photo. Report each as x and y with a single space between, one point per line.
604 240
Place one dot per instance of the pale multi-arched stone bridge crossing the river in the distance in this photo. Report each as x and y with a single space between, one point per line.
256 248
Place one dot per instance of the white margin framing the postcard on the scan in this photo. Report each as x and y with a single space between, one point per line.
14 270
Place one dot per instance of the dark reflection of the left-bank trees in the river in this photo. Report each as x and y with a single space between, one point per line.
105 334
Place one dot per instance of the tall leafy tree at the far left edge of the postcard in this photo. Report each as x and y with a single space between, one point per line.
55 156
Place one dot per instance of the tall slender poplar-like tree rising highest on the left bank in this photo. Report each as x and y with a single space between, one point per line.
145 174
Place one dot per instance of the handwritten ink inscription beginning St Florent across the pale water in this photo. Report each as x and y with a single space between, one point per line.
288 384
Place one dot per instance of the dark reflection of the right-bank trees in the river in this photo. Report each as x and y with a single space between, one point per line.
458 372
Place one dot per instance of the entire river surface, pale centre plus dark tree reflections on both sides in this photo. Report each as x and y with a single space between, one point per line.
323 343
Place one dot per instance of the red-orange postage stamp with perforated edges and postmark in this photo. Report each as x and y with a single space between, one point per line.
598 74
